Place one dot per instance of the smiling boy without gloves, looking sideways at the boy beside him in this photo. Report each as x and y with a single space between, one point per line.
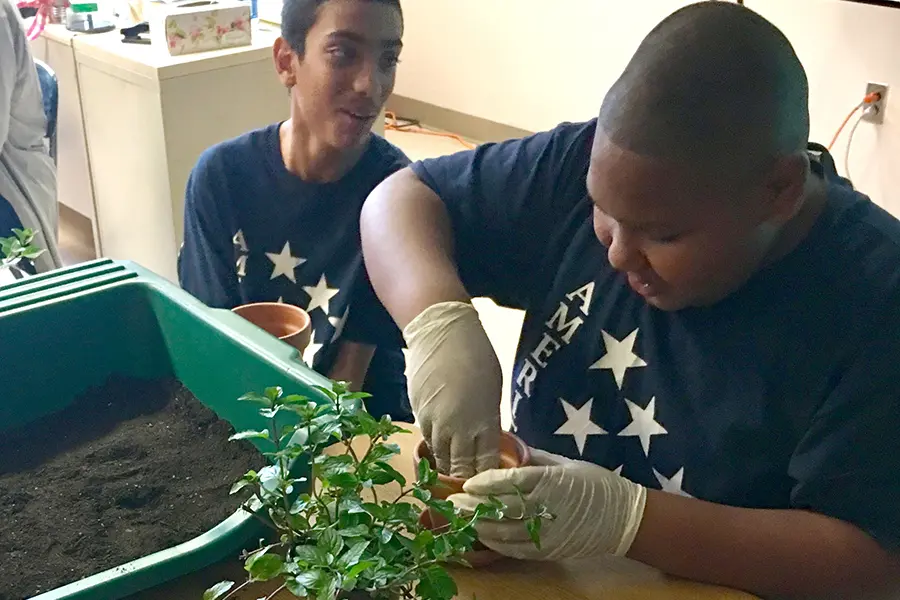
273 215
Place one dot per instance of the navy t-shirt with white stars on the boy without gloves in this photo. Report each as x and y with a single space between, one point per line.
254 232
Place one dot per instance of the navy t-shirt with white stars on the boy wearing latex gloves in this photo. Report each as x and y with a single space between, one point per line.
785 394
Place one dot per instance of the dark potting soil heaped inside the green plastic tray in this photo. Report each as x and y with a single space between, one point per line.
130 468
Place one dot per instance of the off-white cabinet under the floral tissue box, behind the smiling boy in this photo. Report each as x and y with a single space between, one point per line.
148 116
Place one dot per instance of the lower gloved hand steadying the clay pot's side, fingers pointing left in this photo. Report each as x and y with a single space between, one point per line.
596 511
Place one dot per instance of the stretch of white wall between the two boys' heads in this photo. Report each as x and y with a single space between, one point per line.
526 63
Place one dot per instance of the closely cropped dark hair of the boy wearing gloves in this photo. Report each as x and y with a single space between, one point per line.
712 81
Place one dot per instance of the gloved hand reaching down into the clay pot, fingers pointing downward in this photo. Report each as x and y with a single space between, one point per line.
454 387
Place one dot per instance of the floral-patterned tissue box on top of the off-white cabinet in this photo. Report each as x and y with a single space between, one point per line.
199 27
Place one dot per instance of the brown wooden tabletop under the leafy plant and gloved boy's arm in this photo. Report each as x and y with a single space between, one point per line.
607 578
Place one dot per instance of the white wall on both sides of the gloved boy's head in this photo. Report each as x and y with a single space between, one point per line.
533 63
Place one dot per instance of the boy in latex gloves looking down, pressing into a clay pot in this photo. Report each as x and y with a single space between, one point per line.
710 318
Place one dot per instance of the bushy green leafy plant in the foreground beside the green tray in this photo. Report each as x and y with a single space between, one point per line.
339 540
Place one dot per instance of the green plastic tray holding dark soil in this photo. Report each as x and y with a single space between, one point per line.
75 327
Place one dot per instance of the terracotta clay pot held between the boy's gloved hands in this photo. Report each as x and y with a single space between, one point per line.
513 453
